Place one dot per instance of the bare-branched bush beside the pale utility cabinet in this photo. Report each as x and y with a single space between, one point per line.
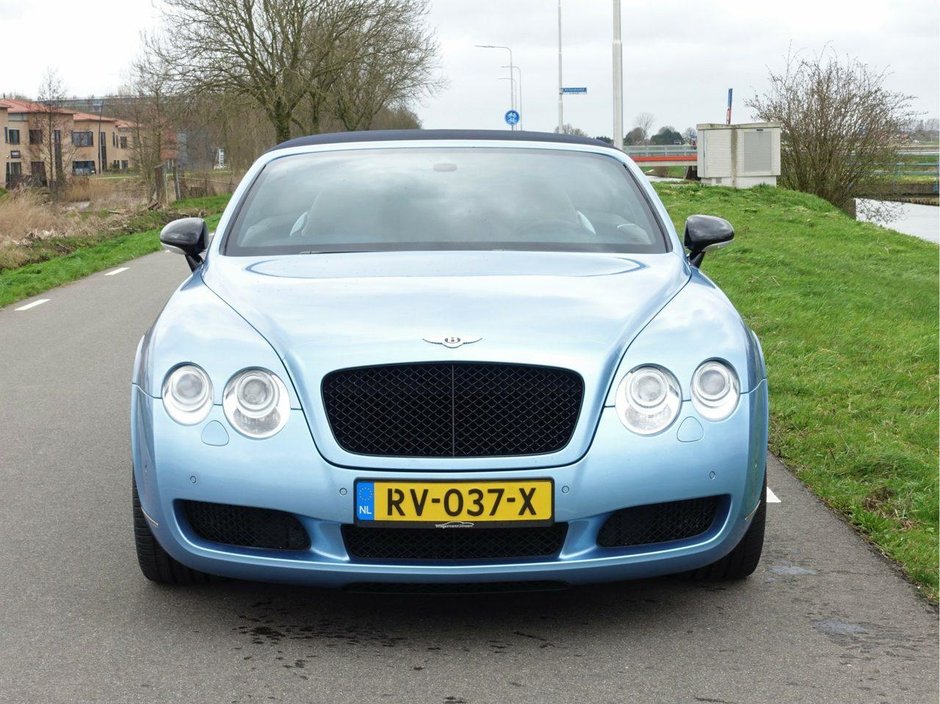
840 126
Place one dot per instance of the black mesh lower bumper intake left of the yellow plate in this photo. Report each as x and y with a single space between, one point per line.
246 527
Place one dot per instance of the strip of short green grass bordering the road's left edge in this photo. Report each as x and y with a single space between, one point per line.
97 253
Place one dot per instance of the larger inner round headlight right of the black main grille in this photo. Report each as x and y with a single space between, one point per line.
648 400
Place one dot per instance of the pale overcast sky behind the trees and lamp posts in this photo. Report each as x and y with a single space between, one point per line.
679 58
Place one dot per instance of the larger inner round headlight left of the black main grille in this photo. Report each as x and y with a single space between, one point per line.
256 403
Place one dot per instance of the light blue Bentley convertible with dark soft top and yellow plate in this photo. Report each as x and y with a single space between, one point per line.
447 357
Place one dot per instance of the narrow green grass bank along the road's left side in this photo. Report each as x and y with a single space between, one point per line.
59 260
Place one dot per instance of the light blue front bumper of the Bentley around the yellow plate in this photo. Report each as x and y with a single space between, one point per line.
174 463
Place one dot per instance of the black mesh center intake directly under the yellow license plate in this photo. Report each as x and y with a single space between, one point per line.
453 544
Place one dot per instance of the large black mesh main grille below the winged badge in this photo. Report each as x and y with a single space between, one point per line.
452 410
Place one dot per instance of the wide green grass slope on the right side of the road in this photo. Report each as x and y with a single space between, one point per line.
847 315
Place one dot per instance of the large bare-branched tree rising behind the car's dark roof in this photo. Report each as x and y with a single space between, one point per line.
288 56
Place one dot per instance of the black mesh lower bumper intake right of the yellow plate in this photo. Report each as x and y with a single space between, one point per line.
658 523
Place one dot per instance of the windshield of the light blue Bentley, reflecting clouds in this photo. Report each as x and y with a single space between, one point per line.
444 198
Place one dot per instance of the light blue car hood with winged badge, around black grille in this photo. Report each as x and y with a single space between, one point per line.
323 312
